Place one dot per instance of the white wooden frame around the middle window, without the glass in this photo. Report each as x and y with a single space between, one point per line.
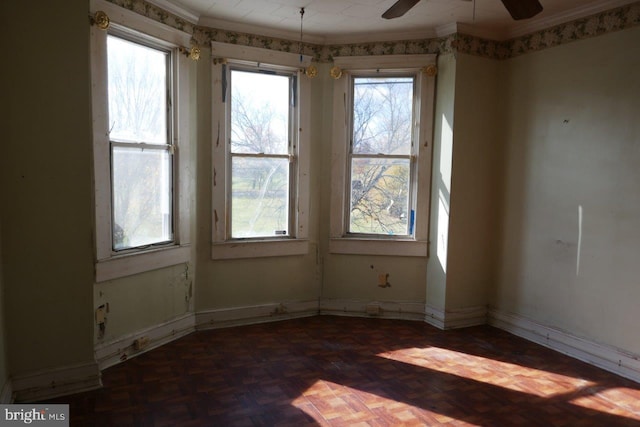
223 246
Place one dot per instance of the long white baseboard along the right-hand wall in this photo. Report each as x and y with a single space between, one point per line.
606 357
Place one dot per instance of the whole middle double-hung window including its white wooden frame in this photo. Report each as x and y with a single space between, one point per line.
260 153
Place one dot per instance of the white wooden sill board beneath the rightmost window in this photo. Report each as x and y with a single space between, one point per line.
355 246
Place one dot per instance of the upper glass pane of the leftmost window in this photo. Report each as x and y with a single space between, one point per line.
137 92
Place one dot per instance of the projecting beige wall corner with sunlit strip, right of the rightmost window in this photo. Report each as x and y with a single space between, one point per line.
465 191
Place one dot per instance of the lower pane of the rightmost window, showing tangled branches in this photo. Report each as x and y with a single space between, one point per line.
380 196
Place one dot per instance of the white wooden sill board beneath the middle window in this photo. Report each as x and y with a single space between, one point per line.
259 248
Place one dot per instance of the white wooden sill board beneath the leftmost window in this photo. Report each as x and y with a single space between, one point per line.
134 263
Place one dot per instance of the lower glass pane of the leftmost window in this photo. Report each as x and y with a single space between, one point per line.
141 197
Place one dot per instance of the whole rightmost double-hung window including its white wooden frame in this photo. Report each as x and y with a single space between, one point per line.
383 114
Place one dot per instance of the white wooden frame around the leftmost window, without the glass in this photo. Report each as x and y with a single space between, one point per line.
110 264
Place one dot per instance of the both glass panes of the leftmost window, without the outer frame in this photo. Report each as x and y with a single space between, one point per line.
141 161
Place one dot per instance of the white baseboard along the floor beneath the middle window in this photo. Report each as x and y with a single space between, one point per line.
222 318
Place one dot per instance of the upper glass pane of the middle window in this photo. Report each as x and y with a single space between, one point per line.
259 113
